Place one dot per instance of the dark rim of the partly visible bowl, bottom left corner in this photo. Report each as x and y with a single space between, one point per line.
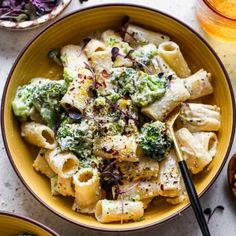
30 220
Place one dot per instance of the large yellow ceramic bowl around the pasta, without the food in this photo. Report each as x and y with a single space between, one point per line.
33 62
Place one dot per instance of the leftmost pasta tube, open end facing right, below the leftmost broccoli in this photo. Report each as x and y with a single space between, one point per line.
39 135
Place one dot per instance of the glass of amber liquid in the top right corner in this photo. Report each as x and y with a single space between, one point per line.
218 17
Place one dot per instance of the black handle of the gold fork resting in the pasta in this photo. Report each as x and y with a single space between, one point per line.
194 198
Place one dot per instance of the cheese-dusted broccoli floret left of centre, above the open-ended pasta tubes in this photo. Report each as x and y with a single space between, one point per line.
77 137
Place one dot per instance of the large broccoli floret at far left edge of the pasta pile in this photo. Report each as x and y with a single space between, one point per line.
42 95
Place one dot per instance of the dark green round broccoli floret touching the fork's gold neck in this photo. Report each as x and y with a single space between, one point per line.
155 140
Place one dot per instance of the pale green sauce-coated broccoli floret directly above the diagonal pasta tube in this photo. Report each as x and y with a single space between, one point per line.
149 88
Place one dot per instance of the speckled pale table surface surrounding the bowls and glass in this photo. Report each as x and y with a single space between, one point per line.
15 198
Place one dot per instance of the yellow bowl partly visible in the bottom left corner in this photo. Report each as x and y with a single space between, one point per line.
12 224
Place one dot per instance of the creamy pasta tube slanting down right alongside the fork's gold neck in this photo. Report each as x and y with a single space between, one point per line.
194 153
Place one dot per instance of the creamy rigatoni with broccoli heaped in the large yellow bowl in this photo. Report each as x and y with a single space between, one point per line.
102 130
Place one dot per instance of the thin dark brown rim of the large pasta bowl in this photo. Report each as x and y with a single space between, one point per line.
61 215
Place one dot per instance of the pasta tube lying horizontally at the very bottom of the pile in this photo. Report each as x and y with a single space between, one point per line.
117 210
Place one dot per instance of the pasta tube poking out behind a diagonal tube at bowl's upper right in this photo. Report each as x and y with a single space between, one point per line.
199 84
